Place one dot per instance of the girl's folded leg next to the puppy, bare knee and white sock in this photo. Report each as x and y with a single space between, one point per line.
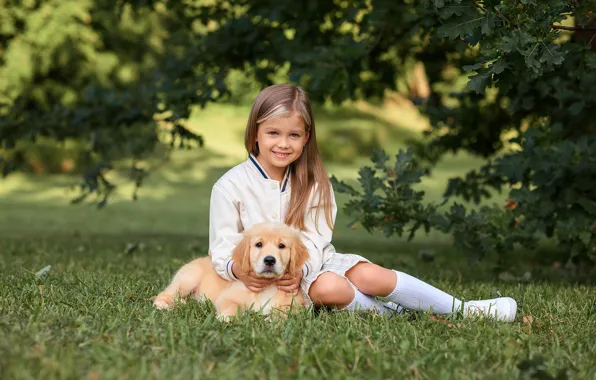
332 290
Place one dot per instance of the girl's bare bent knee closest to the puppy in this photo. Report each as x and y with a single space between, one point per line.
332 290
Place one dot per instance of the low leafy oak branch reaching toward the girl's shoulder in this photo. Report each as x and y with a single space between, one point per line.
390 203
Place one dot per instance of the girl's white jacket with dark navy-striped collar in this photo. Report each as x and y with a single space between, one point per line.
244 196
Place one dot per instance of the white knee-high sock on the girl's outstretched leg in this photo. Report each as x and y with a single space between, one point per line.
415 294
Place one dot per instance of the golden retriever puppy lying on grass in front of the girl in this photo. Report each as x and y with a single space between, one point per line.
268 250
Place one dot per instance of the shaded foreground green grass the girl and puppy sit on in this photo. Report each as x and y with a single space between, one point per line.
91 314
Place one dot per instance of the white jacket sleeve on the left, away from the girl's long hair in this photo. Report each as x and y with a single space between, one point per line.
225 231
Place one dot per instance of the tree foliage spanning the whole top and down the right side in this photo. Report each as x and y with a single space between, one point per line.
109 69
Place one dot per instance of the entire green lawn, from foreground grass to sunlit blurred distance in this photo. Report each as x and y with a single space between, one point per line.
90 315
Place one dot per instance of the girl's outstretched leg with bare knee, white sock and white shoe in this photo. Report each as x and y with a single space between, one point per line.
414 294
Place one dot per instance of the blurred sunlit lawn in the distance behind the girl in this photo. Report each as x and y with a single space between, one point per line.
175 196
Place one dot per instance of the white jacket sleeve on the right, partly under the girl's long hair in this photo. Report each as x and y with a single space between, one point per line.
318 234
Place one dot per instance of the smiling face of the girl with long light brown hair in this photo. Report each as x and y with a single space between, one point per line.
281 141
